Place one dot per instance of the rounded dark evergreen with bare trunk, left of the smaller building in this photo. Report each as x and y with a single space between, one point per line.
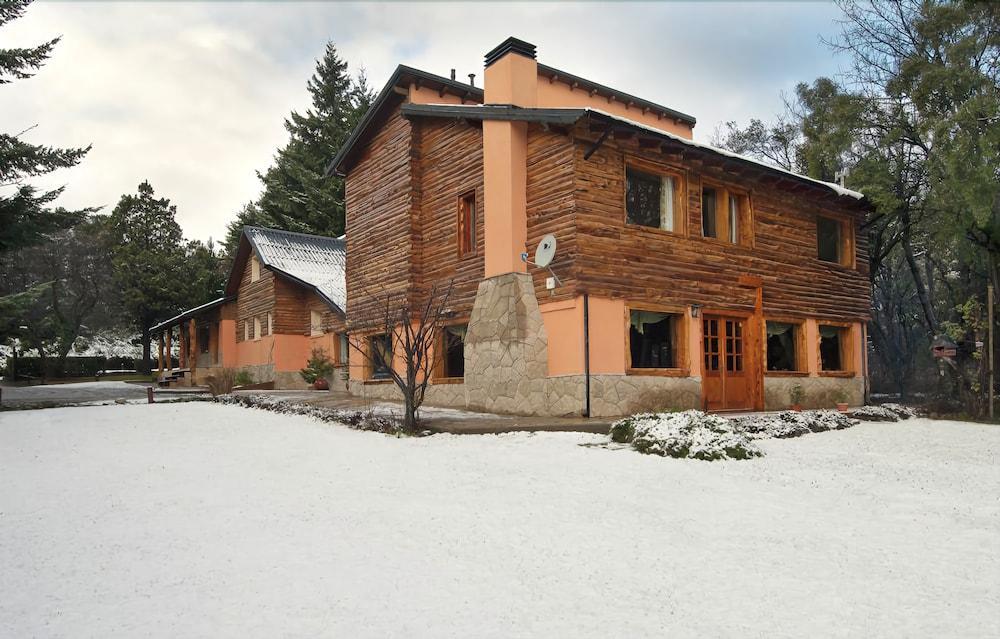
149 261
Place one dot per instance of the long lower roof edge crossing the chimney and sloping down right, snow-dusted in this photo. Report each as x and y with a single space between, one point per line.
611 122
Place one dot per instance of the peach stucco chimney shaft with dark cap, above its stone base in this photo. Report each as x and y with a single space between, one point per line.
511 78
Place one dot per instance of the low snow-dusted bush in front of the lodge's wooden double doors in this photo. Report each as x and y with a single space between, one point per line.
691 433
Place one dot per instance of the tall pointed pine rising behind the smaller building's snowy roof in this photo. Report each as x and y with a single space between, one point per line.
298 196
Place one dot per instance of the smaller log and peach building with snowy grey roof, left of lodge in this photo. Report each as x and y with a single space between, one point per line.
285 296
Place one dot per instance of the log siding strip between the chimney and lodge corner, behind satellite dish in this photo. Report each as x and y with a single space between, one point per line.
551 208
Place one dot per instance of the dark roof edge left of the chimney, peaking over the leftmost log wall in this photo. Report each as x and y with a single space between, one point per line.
402 77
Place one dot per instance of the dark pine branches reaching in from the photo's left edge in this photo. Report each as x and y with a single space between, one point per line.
26 217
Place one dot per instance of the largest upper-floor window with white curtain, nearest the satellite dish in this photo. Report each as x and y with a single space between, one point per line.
654 200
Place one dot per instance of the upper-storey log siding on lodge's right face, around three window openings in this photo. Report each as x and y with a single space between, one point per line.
636 263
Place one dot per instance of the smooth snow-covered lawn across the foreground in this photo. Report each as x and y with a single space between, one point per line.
205 520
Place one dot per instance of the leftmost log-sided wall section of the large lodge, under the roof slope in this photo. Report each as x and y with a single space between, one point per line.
380 235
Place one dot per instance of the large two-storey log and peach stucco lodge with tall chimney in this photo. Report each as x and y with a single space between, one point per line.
688 276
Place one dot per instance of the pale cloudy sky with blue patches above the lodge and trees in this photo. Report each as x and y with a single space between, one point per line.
192 96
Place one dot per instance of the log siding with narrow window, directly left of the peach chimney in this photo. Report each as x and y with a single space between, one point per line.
450 165
